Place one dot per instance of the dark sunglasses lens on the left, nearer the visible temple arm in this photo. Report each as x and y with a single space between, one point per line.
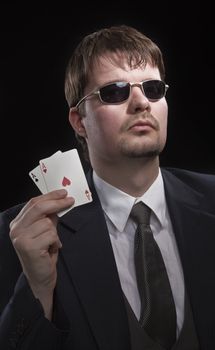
115 93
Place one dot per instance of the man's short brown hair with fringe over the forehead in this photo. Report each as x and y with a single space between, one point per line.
134 45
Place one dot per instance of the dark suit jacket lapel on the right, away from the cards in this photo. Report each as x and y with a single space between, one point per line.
194 229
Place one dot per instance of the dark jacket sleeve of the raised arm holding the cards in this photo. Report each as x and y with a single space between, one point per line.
23 325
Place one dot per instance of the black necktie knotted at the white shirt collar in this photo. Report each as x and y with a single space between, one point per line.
158 316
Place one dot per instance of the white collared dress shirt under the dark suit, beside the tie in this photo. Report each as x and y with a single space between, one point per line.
117 206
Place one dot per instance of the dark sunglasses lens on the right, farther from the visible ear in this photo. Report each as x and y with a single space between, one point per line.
154 89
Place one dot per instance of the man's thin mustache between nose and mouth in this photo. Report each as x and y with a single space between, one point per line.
146 118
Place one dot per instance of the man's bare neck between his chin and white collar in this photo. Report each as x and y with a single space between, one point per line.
133 177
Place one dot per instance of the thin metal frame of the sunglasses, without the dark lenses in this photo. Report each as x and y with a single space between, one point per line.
140 85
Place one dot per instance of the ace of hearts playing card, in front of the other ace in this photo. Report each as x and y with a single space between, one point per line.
66 171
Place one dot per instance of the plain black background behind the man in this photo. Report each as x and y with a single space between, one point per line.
34 115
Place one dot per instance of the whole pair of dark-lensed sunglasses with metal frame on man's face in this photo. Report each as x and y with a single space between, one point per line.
119 92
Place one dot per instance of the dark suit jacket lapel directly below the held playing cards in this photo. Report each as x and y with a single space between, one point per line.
88 255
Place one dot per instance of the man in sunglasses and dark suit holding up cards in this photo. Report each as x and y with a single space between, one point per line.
72 283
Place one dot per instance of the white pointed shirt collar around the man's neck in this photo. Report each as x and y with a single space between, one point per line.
117 204
